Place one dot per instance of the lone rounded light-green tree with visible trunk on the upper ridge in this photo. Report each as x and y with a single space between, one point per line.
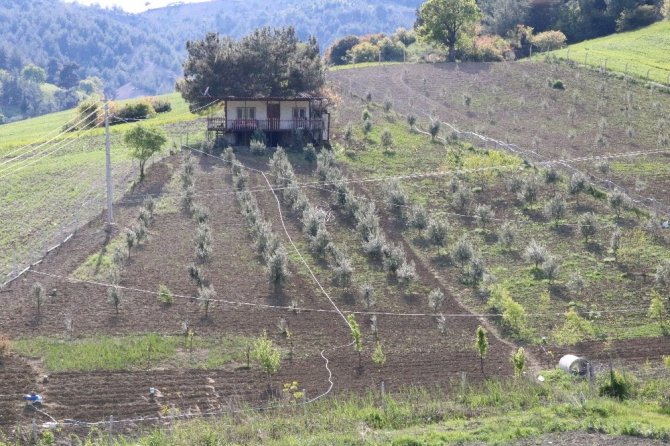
444 22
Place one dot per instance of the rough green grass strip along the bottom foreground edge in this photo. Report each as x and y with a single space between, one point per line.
495 413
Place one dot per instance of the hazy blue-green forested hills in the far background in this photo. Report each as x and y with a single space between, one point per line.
144 52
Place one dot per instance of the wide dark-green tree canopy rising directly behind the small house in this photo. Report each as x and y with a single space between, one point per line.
268 62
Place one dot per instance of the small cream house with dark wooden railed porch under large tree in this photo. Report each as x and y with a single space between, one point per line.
279 118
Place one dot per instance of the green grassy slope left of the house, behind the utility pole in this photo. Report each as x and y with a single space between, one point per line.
38 199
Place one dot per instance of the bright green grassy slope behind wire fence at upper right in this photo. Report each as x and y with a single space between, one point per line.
642 50
